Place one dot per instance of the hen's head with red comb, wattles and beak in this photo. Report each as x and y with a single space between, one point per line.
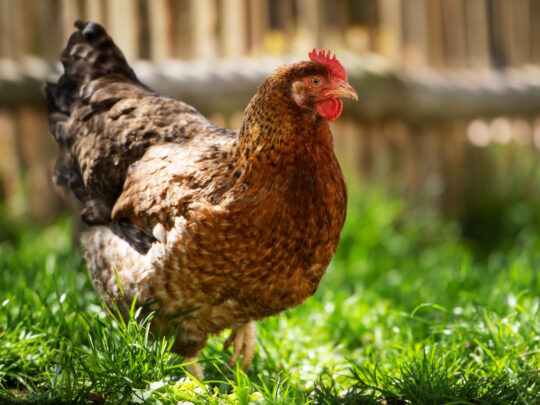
320 84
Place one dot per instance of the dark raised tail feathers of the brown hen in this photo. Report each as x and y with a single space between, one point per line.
89 57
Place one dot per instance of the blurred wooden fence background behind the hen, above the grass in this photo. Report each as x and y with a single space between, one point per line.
449 111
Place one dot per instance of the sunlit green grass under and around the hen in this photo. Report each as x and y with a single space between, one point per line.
407 313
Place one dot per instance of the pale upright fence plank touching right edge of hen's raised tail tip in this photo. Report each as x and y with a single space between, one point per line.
123 26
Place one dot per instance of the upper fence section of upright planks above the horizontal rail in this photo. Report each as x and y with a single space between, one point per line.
437 33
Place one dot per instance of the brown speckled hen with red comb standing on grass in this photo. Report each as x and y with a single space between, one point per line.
230 227
